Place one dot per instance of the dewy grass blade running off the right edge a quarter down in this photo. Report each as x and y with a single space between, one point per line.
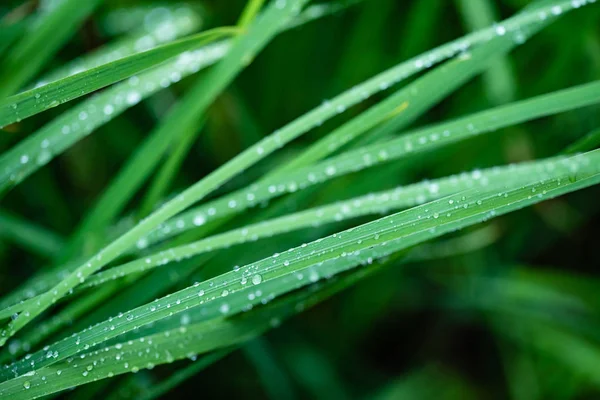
410 144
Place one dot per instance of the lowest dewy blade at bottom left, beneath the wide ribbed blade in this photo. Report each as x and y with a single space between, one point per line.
172 344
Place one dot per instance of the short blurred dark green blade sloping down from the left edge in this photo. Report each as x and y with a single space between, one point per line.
29 236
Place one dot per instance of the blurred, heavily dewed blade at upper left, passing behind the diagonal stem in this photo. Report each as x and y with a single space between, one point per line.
64 131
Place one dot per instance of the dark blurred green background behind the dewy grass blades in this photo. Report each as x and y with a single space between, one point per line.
515 314
